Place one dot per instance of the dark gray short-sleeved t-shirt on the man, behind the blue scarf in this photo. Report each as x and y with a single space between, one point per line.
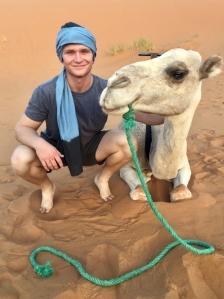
91 118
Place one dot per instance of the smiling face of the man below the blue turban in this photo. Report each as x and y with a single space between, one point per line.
77 59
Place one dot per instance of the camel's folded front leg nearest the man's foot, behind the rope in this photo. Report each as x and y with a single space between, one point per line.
130 176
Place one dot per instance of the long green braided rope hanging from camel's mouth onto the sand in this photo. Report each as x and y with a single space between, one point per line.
46 270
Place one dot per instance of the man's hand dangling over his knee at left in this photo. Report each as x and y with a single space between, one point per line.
49 156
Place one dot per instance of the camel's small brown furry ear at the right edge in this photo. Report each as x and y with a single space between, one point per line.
211 67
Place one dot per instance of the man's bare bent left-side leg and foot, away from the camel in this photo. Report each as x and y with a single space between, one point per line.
26 164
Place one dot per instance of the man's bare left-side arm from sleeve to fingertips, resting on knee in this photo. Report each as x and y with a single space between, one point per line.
26 133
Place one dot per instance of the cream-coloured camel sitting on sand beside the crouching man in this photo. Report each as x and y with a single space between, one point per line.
169 85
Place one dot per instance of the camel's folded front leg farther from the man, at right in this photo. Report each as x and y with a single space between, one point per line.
180 183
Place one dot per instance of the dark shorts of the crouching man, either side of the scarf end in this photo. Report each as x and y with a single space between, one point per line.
89 151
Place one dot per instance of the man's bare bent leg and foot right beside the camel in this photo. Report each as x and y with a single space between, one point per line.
115 149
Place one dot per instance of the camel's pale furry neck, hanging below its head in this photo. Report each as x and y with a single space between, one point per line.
171 145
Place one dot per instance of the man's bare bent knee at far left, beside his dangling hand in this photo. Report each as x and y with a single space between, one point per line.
22 158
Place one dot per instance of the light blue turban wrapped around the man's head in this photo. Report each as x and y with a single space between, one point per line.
75 35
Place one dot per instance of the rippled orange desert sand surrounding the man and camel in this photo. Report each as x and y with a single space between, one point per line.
110 238
